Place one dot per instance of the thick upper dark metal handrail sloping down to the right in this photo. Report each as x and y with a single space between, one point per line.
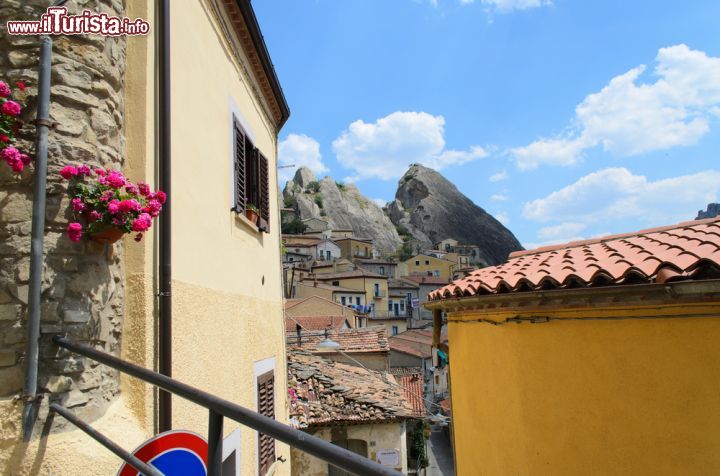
310 444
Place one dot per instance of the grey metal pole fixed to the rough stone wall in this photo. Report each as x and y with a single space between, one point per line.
37 238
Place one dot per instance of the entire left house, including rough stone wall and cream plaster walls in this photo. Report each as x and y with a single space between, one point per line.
104 98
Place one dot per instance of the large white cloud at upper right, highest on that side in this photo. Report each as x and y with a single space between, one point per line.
629 118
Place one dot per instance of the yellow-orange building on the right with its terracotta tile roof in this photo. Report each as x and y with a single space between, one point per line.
595 357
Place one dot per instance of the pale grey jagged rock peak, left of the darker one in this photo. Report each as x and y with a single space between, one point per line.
343 206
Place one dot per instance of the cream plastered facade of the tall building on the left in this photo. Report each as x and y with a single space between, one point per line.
228 325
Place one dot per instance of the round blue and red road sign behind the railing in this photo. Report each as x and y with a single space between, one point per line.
174 453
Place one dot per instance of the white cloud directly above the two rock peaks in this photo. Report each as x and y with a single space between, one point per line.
386 148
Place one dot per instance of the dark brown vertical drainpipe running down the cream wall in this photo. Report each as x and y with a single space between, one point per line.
165 246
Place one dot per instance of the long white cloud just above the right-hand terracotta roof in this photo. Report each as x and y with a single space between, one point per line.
615 193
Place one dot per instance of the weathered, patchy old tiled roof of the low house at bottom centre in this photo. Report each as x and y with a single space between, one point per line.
323 392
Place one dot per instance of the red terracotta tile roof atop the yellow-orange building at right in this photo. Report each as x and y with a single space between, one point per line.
689 250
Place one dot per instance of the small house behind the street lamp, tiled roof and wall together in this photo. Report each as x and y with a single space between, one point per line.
367 347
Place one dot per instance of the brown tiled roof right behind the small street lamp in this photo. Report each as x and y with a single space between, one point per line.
365 339
